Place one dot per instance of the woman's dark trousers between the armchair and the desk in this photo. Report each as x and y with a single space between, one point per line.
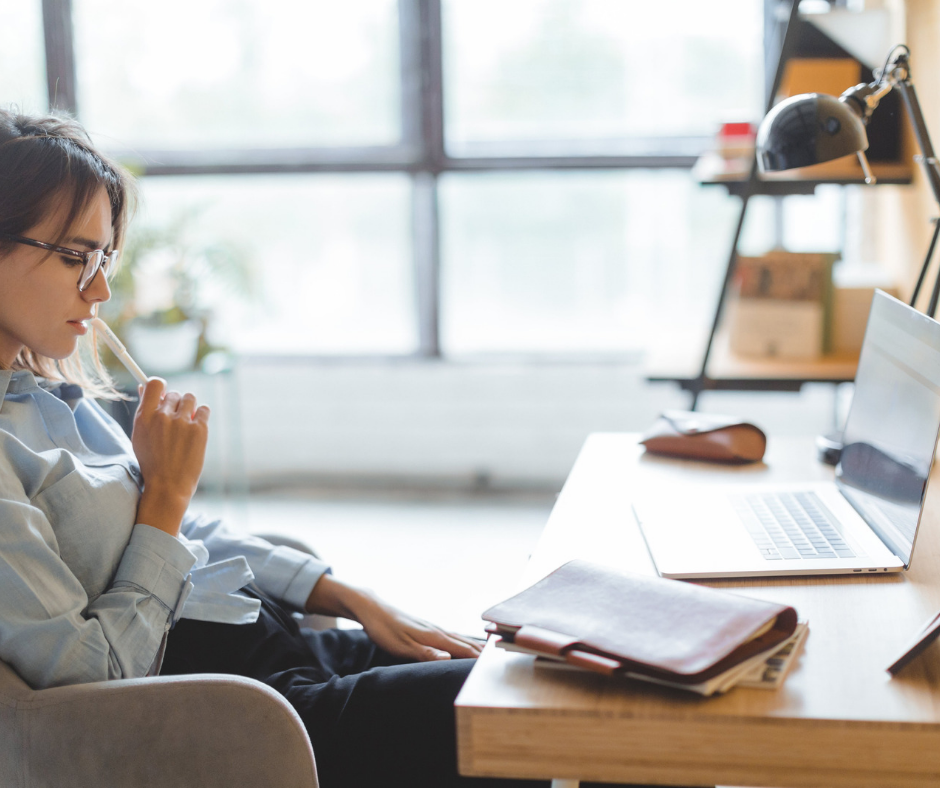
373 719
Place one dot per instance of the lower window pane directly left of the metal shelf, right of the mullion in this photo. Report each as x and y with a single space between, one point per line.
578 262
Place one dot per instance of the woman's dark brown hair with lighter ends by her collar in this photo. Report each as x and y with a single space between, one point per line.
46 162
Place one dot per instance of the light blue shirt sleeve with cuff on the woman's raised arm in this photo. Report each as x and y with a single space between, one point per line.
50 633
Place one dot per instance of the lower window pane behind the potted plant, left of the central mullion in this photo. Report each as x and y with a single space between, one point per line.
331 253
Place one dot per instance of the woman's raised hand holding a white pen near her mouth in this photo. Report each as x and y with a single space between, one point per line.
169 439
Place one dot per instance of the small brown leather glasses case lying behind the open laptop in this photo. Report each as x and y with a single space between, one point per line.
705 436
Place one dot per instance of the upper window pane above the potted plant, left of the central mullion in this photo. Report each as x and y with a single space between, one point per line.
216 74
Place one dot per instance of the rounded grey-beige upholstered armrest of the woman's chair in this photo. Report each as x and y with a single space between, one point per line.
209 730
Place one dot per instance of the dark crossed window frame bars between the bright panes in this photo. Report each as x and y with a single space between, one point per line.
421 153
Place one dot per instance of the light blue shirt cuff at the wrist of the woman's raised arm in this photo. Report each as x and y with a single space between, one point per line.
158 563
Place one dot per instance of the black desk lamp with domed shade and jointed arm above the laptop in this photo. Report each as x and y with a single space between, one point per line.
812 128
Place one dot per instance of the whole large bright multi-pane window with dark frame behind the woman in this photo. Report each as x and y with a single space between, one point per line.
432 177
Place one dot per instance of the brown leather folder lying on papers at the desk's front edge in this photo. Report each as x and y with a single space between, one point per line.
611 622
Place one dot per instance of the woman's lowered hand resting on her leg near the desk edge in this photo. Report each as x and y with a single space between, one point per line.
389 628
